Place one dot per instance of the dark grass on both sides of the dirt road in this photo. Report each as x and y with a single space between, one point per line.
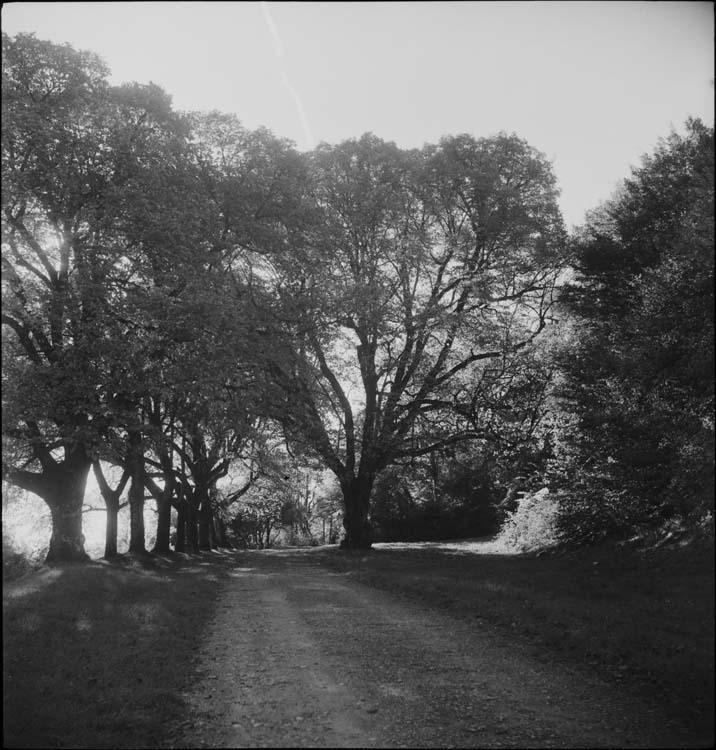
99 655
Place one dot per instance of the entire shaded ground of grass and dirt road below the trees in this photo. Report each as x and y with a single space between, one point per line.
405 646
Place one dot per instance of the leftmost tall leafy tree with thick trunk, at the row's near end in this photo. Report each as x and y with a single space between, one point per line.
52 164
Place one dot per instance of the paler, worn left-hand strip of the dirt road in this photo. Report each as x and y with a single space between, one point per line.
263 682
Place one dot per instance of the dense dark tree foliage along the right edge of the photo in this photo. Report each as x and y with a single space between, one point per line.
639 365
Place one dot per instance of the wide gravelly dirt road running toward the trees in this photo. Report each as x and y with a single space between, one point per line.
299 656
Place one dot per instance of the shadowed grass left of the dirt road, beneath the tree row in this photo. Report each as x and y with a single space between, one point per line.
99 655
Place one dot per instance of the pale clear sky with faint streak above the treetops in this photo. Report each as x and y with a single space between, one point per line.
593 85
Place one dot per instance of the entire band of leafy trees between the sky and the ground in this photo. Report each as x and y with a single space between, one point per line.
183 296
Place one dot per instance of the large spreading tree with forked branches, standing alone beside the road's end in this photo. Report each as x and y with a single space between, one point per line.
425 272
